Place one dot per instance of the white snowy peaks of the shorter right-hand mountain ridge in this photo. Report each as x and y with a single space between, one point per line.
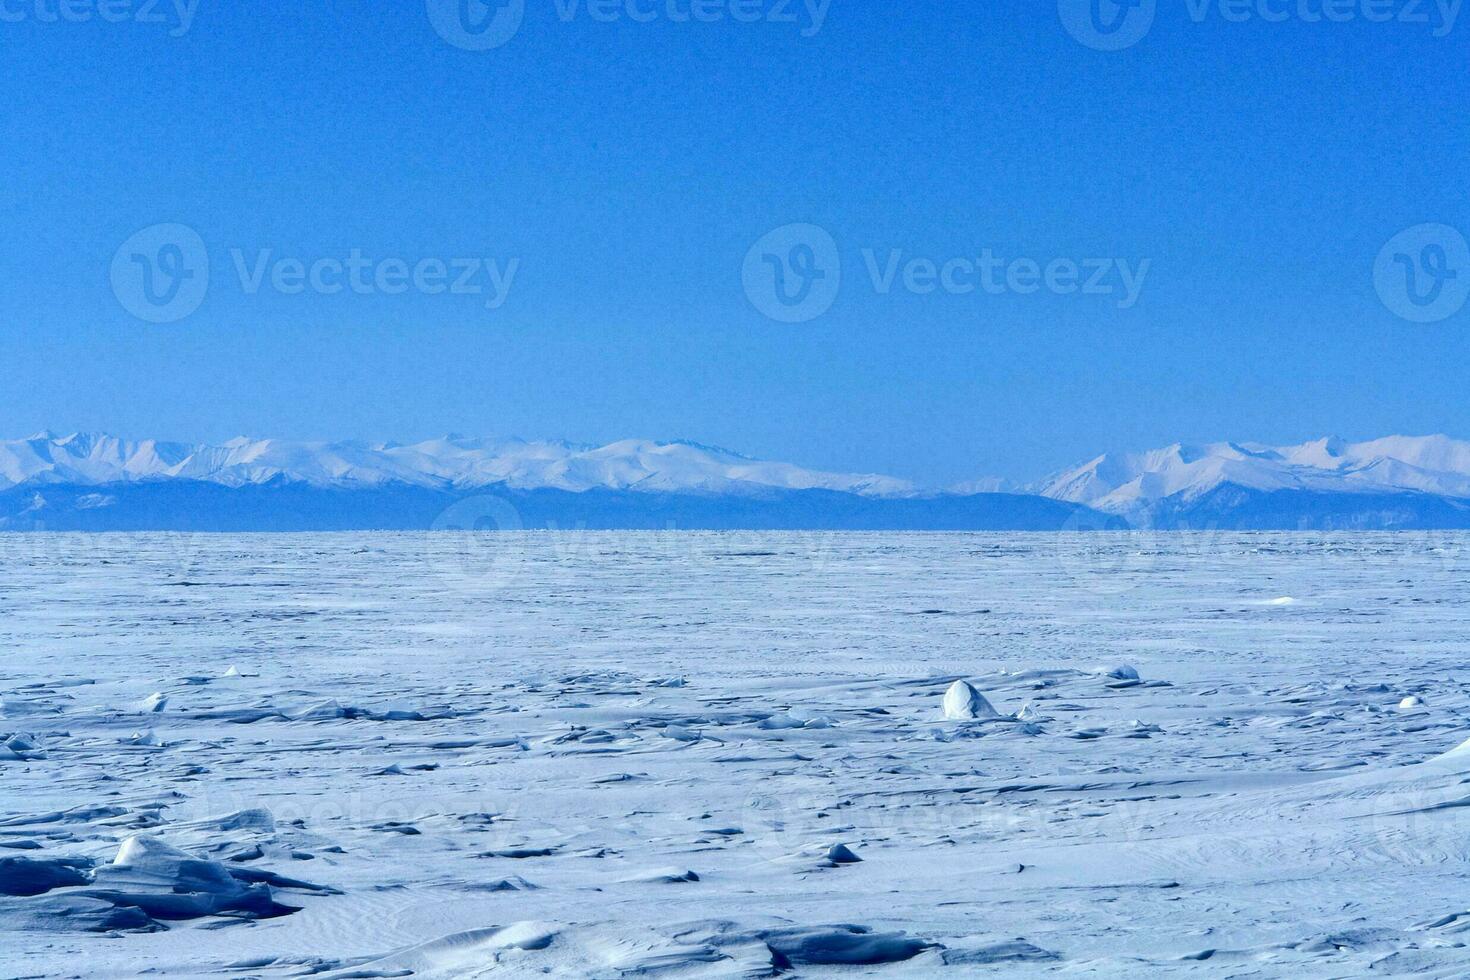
1437 466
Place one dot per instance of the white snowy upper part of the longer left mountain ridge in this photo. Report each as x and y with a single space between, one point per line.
449 464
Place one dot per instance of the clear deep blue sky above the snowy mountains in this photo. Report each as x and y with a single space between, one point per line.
628 168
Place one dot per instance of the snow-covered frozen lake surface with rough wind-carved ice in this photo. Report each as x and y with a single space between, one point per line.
727 756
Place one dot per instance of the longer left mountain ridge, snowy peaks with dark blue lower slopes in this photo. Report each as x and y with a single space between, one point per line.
101 483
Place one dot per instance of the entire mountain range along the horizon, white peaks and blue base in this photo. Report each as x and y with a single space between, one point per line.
102 483
